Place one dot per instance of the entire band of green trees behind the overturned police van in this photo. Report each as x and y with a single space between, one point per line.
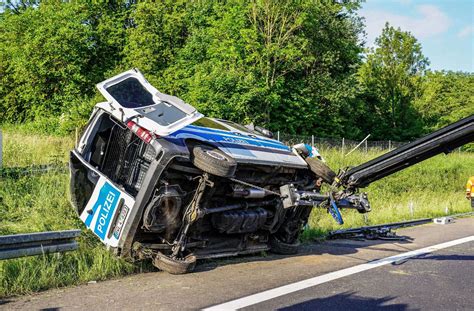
295 66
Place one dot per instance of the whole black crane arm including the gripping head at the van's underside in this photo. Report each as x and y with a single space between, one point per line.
443 140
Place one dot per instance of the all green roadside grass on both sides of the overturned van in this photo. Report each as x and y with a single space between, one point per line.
40 203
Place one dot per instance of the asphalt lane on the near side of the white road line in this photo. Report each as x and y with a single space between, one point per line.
442 280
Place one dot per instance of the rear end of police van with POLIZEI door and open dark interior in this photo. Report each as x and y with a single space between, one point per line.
106 174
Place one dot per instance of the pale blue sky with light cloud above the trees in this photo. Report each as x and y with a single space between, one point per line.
445 28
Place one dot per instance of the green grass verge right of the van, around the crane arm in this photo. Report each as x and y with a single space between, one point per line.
430 187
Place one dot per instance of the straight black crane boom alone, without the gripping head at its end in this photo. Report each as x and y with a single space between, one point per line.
441 141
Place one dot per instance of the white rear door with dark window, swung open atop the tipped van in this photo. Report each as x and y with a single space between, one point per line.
131 96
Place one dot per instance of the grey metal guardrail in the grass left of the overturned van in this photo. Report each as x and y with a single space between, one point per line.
31 244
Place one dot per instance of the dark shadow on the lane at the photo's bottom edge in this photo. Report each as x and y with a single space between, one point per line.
347 301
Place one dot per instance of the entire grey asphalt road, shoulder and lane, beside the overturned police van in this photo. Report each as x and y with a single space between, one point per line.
439 280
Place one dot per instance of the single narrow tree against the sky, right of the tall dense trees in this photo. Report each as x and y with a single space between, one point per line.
391 79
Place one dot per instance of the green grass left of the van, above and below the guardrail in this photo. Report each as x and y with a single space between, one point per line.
33 203
